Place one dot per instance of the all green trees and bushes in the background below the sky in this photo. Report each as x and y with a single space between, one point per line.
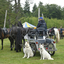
53 13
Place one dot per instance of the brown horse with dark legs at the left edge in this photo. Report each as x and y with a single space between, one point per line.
5 33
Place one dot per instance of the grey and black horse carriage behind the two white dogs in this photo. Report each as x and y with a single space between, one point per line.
36 38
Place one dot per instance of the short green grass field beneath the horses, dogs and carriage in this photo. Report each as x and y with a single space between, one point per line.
12 57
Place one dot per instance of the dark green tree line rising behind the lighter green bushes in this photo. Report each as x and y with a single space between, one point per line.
16 11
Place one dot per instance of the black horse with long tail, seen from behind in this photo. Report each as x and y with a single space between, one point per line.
17 32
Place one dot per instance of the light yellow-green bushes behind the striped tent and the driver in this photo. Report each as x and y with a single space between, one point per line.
50 22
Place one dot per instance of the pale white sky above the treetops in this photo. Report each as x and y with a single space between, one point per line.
58 2
